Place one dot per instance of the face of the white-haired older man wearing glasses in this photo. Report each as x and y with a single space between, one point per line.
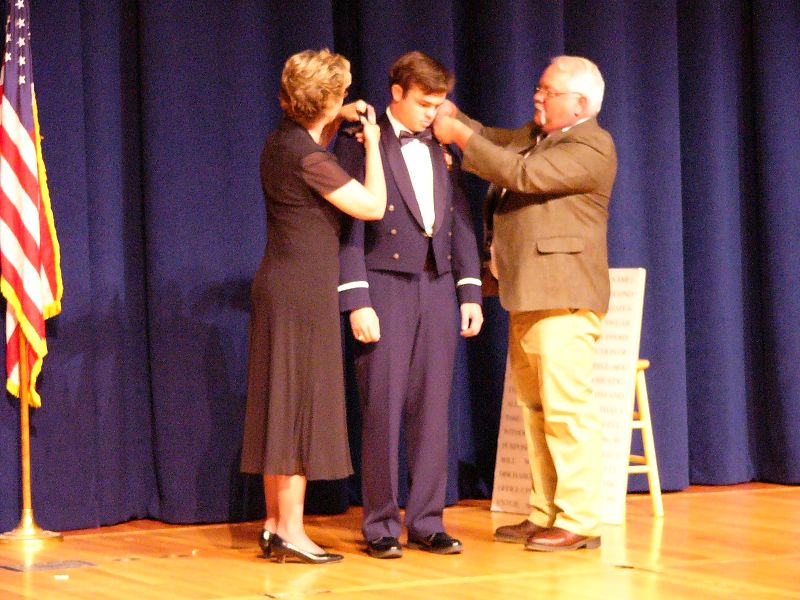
555 105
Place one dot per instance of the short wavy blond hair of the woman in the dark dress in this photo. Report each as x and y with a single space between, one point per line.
312 81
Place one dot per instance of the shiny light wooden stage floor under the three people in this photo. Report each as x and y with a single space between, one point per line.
726 542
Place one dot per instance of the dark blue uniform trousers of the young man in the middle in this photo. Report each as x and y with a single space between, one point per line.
405 379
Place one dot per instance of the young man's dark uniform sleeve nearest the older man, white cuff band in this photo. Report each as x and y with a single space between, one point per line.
466 262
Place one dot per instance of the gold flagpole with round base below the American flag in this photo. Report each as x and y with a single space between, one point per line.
27 530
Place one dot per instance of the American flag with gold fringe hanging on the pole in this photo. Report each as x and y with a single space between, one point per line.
29 252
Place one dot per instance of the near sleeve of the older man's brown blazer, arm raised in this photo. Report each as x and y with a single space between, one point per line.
569 166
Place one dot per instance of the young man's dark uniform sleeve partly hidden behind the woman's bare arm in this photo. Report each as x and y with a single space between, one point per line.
353 286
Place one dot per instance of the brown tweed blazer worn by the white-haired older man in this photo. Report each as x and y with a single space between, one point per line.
549 228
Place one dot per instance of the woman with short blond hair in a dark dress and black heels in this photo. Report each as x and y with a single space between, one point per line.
295 427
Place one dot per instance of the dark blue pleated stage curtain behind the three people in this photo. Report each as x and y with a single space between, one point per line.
154 114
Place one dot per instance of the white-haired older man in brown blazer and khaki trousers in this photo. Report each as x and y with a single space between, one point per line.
547 217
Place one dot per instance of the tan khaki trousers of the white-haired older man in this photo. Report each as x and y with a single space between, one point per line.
552 354
